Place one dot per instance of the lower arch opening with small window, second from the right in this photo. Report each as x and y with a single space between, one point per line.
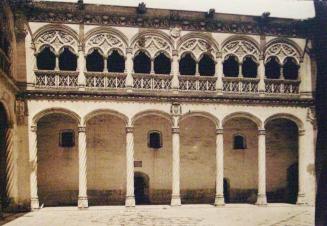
240 164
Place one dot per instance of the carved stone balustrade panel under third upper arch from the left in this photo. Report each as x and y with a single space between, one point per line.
152 81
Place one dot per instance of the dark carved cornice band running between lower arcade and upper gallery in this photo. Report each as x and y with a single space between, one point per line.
147 97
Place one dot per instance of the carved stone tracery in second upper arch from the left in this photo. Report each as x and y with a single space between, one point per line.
105 42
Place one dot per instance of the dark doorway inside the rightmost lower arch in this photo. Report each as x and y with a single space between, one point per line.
292 183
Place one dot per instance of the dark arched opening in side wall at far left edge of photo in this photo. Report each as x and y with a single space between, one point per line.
4 124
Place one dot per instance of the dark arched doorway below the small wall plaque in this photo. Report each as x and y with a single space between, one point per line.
141 189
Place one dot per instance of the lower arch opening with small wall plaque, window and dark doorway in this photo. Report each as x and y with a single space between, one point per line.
154 162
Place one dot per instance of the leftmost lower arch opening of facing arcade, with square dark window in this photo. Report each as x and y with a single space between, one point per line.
57 145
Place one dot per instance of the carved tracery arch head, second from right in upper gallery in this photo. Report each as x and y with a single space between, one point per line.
240 47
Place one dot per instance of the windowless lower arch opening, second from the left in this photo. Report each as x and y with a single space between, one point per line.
106 159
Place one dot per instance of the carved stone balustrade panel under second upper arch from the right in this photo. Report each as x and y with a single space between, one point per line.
241 85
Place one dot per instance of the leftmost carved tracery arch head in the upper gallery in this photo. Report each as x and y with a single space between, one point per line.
56 37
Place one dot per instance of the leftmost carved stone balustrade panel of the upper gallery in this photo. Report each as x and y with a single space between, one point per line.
56 79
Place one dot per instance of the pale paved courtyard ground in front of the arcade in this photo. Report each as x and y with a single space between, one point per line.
190 215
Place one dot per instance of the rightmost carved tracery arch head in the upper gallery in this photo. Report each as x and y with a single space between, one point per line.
282 48
